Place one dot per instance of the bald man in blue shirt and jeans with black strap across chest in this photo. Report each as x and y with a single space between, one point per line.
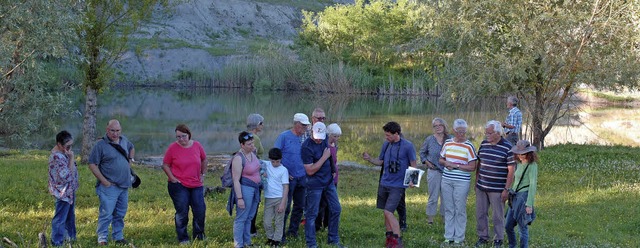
110 164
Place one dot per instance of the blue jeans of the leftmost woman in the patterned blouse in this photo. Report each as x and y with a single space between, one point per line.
63 224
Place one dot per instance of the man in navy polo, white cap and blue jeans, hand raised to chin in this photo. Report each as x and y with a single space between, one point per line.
316 157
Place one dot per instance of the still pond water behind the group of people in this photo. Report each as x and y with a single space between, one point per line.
215 116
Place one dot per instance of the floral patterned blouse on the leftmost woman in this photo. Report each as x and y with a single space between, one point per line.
63 179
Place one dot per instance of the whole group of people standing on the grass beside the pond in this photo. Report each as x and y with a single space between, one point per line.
300 179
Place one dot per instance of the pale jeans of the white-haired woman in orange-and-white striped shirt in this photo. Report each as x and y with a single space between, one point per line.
454 199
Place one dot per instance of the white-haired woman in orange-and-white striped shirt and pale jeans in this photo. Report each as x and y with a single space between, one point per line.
459 159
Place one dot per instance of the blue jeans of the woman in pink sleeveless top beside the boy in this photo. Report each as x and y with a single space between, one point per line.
242 223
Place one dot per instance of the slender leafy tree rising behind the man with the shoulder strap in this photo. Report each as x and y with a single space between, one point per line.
106 27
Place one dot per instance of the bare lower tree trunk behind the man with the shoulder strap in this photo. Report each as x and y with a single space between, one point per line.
89 123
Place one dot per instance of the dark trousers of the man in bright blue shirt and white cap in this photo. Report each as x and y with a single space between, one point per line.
297 195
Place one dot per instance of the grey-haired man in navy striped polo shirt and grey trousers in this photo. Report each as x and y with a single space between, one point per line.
494 176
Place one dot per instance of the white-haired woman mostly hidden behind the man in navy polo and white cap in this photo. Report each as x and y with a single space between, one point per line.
333 134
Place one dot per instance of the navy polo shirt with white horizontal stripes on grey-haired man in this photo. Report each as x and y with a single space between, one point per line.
494 165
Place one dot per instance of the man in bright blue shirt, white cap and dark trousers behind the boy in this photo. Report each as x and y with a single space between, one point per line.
290 144
